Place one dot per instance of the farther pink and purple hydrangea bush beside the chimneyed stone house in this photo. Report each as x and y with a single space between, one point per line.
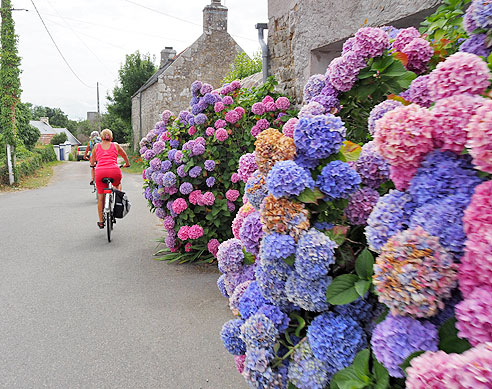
190 159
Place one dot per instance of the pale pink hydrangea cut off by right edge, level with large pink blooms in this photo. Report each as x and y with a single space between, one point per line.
480 137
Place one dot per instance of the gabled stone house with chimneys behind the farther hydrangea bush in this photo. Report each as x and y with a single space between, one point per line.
208 59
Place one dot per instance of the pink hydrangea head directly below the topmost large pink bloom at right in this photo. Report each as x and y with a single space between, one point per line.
450 116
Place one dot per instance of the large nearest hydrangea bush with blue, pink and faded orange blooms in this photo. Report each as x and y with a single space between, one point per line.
351 279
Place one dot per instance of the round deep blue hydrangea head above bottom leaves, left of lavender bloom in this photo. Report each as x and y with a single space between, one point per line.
335 340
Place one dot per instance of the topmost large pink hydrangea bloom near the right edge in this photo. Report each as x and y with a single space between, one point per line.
459 73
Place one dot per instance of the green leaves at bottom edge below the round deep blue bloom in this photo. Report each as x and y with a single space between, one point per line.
360 374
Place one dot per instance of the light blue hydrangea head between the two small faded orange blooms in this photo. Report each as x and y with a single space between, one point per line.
288 179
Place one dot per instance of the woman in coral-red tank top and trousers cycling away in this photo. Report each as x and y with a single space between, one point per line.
106 154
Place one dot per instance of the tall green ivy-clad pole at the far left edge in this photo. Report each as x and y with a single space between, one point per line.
9 74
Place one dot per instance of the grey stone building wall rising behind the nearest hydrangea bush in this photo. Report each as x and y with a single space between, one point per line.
305 35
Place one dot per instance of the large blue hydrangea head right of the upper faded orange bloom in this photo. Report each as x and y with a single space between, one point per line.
319 137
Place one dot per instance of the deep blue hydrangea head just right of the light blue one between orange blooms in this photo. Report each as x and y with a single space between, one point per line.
337 180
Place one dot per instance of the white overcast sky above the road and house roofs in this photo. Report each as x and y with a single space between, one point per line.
95 35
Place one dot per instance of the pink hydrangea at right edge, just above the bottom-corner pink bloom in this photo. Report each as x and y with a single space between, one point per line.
474 316
